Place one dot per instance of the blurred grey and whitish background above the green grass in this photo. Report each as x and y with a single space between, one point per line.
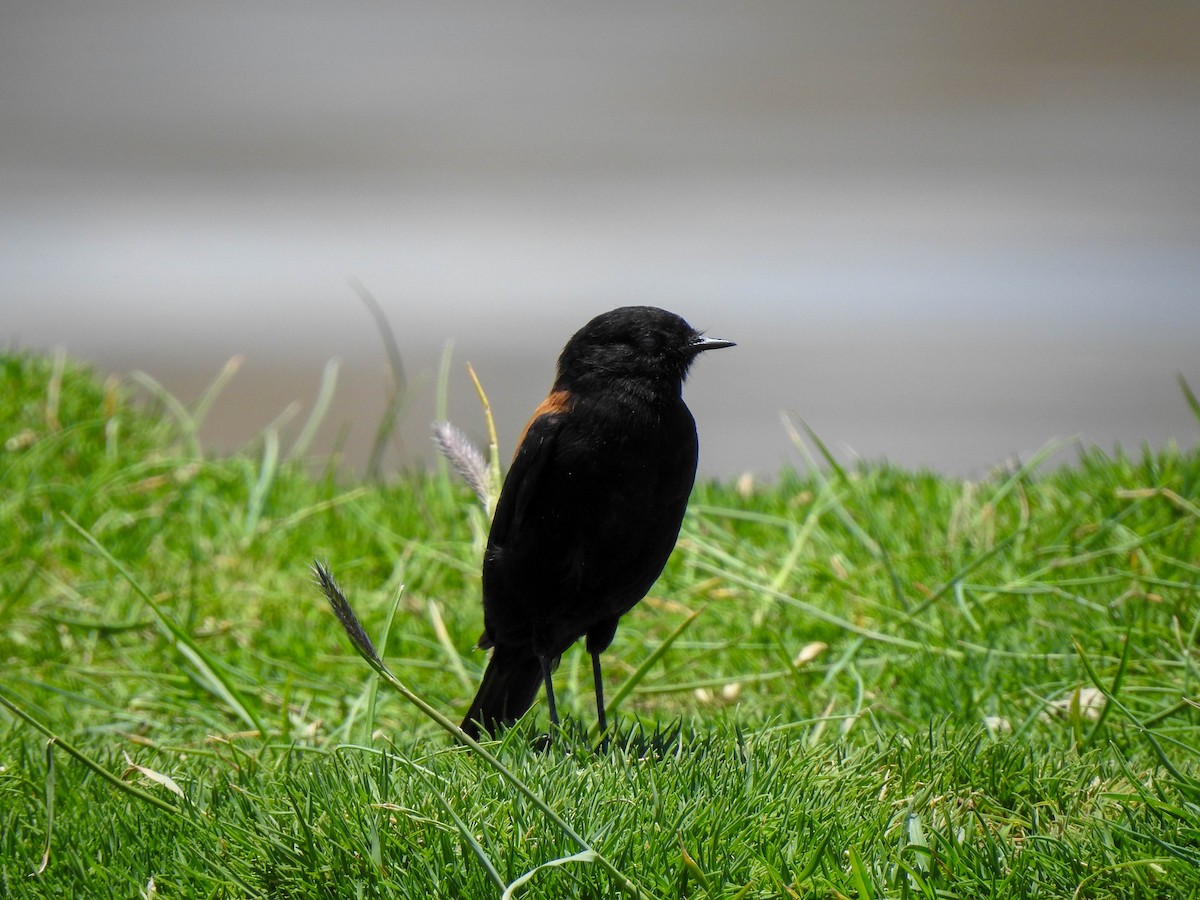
941 233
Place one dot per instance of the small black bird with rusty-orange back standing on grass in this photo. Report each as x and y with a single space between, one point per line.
591 508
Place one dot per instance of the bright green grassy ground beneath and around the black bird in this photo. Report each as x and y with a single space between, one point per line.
997 697
